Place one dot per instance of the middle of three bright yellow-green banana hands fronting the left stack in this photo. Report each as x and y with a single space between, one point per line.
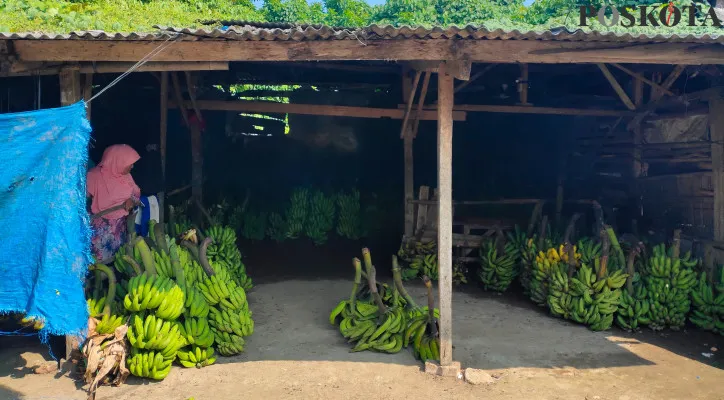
154 333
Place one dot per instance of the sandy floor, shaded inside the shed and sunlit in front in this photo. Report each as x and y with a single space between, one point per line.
296 354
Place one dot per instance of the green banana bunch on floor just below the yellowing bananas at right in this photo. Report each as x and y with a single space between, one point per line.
595 296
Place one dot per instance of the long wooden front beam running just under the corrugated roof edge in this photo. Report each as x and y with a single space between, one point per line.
491 51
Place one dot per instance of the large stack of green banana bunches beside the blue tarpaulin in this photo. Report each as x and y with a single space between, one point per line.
183 299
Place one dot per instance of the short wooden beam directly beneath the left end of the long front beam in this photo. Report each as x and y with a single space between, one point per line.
42 68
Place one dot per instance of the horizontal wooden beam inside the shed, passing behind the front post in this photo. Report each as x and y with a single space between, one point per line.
311 109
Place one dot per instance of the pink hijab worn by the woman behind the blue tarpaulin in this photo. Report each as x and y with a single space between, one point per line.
109 184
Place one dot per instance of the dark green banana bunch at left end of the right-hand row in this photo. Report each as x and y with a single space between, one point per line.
498 264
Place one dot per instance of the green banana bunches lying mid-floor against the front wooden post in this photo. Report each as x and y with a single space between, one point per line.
383 318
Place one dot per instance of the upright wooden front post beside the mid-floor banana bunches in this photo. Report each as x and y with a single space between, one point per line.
444 235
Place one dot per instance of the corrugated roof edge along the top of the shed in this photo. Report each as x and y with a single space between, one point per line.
241 30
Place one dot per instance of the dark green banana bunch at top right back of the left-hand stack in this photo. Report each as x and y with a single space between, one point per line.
223 253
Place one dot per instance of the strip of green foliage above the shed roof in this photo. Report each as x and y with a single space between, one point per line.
62 16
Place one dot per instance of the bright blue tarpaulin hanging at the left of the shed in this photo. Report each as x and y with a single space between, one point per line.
45 248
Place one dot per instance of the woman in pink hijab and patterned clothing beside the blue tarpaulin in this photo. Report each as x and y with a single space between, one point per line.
111 187
